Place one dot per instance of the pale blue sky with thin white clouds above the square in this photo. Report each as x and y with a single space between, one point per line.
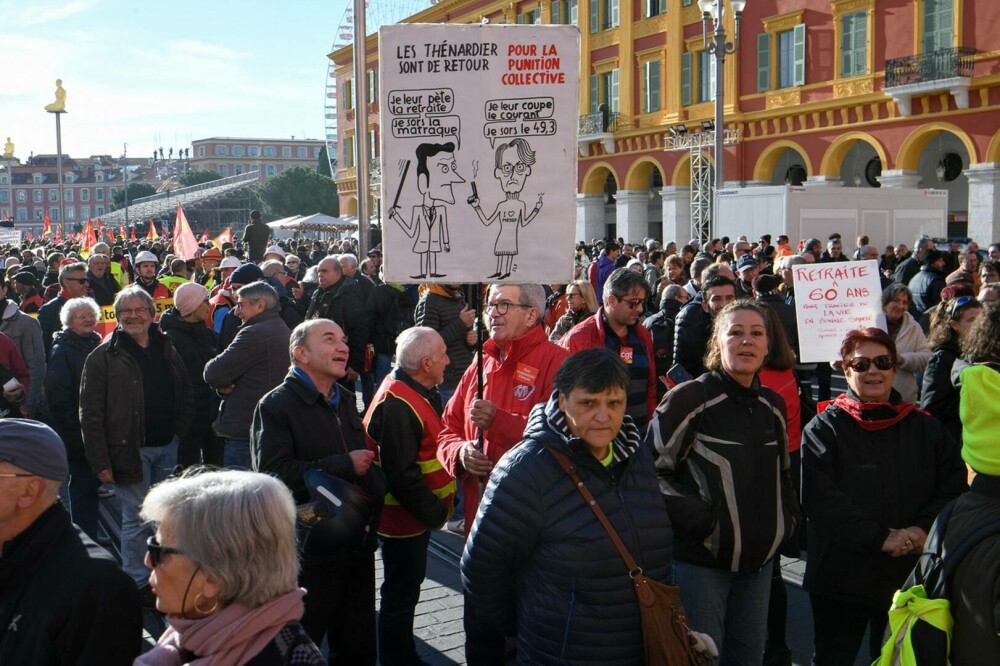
155 74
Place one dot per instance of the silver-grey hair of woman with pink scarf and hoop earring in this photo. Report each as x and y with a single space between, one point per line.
238 526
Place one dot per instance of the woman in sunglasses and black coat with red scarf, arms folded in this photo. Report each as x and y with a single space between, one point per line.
875 473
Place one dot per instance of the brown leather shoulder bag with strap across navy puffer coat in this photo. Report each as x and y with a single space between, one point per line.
664 623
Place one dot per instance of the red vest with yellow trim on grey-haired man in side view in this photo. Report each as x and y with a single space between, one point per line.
397 521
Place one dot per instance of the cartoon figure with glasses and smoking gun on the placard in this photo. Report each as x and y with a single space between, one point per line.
513 166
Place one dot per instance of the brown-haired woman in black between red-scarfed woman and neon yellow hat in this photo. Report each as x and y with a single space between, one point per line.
951 321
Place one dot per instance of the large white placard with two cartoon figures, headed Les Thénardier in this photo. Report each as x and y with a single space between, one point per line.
478 152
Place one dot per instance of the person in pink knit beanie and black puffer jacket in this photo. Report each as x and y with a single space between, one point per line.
185 325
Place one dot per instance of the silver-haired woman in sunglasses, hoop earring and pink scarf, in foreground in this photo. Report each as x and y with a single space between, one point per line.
224 569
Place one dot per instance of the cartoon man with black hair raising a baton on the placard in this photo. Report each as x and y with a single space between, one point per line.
437 171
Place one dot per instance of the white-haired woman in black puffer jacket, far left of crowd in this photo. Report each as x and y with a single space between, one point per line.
70 348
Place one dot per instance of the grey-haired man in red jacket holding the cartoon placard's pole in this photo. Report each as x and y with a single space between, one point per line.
519 365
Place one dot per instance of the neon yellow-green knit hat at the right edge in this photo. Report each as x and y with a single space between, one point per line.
979 410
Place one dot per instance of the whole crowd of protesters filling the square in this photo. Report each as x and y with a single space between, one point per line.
270 414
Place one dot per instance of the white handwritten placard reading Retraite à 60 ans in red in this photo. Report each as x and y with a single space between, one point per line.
832 299
